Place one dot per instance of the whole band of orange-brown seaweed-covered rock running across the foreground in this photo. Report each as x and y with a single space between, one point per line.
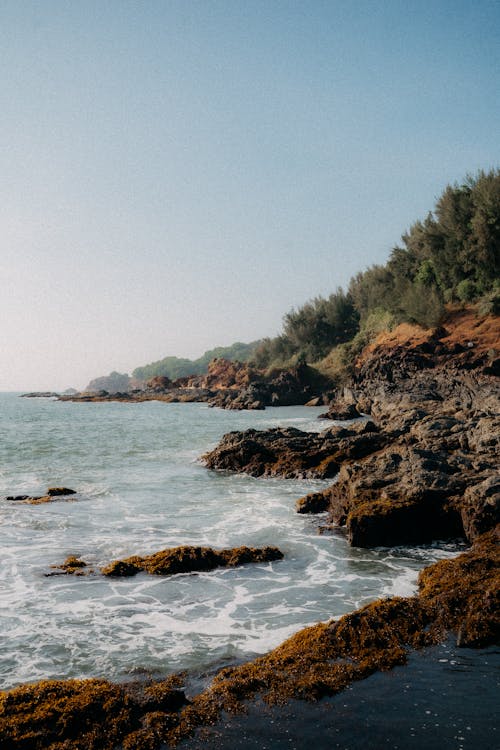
459 595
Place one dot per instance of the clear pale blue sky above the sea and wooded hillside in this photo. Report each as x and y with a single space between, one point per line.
177 175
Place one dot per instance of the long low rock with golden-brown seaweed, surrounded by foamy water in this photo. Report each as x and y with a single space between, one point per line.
188 559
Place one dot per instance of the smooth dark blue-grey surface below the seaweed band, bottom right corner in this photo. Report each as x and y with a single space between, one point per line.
445 698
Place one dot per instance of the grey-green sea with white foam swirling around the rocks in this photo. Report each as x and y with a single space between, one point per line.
142 489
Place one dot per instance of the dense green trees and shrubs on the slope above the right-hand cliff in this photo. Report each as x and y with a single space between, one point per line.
451 256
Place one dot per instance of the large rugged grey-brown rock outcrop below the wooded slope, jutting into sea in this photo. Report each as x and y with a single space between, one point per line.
425 466
